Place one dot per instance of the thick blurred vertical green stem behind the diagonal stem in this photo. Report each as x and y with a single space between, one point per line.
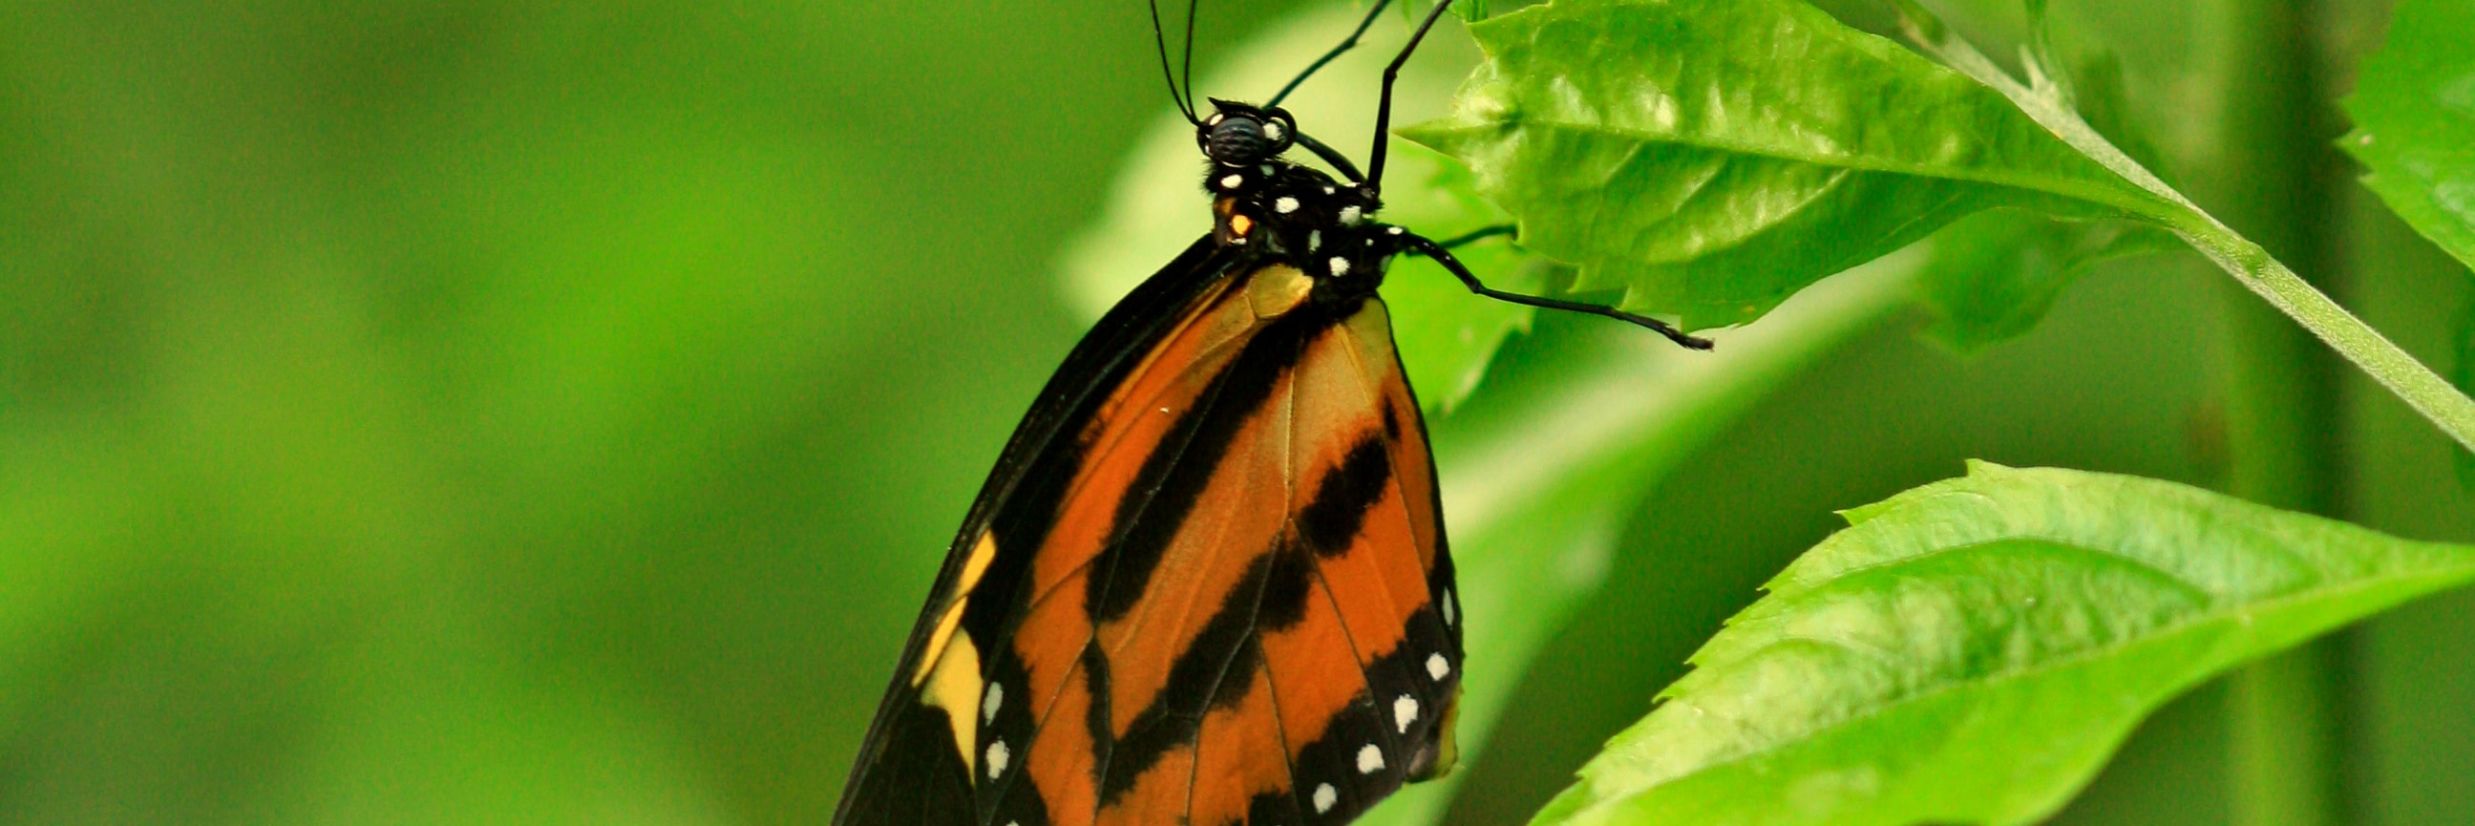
2273 177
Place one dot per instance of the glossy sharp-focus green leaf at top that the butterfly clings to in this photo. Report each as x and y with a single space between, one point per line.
1711 157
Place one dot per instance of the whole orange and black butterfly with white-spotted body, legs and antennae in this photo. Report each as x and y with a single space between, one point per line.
1207 582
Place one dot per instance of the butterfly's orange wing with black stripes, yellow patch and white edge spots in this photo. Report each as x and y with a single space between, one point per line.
1231 615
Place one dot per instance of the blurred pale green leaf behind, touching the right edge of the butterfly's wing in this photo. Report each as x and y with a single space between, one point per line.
1543 469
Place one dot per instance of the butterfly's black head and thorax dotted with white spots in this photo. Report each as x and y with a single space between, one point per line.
1286 211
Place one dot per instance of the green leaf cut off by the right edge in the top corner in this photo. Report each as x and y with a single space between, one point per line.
2414 122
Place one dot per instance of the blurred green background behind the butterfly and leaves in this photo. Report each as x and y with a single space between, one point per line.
553 414
